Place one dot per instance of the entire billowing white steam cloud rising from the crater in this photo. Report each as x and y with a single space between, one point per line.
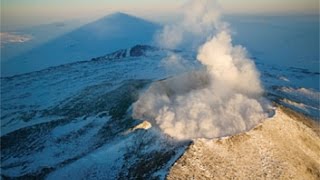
222 98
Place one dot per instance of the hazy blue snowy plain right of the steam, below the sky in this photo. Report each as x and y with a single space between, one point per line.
280 40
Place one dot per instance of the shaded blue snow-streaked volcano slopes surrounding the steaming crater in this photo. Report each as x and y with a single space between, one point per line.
74 120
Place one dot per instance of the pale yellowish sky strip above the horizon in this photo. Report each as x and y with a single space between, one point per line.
23 12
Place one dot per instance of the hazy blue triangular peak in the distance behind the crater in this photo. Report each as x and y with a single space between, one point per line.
107 34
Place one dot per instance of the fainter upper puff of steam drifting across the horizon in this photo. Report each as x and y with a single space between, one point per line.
200 19
